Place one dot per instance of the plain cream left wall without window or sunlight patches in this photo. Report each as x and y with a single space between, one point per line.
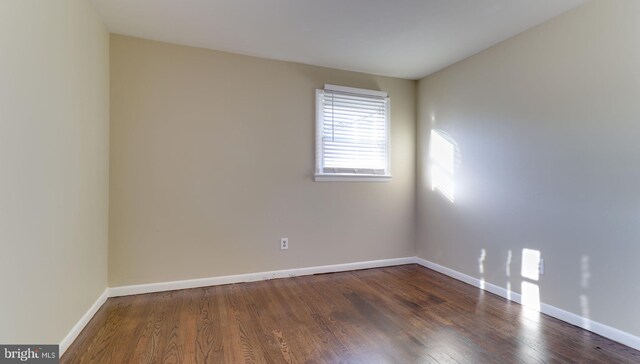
54 166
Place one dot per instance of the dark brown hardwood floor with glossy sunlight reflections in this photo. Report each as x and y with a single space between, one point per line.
404 314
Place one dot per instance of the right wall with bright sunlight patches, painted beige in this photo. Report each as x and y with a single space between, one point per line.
547 130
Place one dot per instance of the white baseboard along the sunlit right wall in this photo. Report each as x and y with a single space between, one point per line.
566 316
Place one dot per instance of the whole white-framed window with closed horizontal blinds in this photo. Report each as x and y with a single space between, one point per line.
352 134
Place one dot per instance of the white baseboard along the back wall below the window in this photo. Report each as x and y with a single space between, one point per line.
252 277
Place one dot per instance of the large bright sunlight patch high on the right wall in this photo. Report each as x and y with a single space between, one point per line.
442 158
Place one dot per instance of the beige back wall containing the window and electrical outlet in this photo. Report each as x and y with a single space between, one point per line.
212 157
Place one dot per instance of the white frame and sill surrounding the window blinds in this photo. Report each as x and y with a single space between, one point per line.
319 175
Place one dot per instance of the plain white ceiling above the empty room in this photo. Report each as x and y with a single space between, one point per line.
401 38
